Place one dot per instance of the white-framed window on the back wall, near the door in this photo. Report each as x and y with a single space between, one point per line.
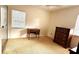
18 19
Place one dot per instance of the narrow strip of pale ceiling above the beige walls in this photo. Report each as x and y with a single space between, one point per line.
47 7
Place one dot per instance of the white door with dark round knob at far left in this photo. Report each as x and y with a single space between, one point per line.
4 22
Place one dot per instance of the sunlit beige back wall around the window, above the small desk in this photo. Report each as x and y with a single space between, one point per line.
35 17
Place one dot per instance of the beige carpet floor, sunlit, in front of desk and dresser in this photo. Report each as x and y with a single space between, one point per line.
43 45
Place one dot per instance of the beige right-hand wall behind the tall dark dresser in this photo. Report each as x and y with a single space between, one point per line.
63 18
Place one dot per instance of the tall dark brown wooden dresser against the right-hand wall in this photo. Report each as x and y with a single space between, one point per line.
61 36
